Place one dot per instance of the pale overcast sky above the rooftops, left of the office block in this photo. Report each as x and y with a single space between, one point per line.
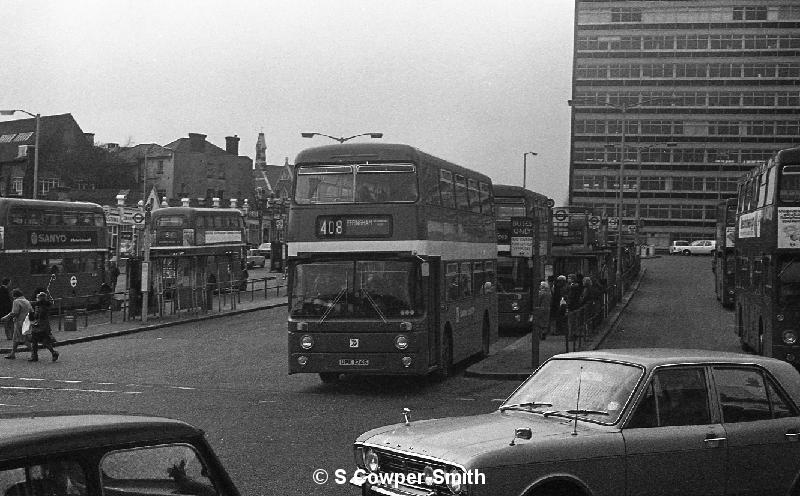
476 83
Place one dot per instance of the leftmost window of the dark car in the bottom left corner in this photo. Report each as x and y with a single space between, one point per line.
55 477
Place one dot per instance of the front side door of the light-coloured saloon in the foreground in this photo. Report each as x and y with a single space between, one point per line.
673 443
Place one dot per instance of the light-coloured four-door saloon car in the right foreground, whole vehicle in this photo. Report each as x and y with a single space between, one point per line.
611 422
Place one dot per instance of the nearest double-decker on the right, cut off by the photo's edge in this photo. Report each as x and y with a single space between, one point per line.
768 257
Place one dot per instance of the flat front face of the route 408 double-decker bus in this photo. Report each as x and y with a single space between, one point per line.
358 283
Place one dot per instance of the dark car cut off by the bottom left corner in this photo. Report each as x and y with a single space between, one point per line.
111 455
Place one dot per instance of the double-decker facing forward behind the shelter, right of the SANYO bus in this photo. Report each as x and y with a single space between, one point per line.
195 250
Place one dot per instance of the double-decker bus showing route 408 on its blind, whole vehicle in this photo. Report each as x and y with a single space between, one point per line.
392 262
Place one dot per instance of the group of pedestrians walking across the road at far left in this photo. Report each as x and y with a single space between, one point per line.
16 310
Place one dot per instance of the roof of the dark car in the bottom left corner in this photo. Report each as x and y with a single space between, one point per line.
40 435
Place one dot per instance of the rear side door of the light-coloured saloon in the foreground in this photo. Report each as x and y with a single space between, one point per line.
763 431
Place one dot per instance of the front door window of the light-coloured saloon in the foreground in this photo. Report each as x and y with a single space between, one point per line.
675 396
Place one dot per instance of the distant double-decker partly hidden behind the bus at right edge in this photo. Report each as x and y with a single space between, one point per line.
724 261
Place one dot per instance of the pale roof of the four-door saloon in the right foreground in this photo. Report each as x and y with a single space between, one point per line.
650 358
